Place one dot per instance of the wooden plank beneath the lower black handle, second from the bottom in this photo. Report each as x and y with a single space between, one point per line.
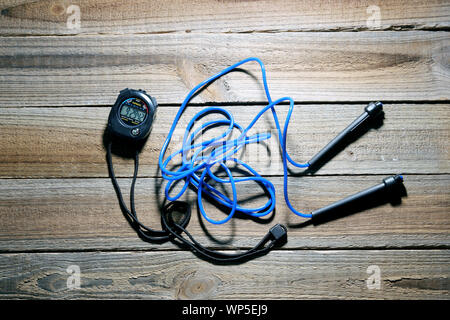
83 214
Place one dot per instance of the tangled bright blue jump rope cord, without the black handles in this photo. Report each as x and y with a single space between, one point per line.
197 170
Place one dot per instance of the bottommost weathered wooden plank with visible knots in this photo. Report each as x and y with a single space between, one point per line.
404 274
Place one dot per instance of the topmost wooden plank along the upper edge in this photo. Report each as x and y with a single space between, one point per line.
107 16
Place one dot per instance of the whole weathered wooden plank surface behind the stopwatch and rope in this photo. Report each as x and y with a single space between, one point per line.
57 204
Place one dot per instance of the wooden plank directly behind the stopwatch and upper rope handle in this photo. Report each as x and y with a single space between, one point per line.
67 142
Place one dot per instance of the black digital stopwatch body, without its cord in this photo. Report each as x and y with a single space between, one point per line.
132 115
